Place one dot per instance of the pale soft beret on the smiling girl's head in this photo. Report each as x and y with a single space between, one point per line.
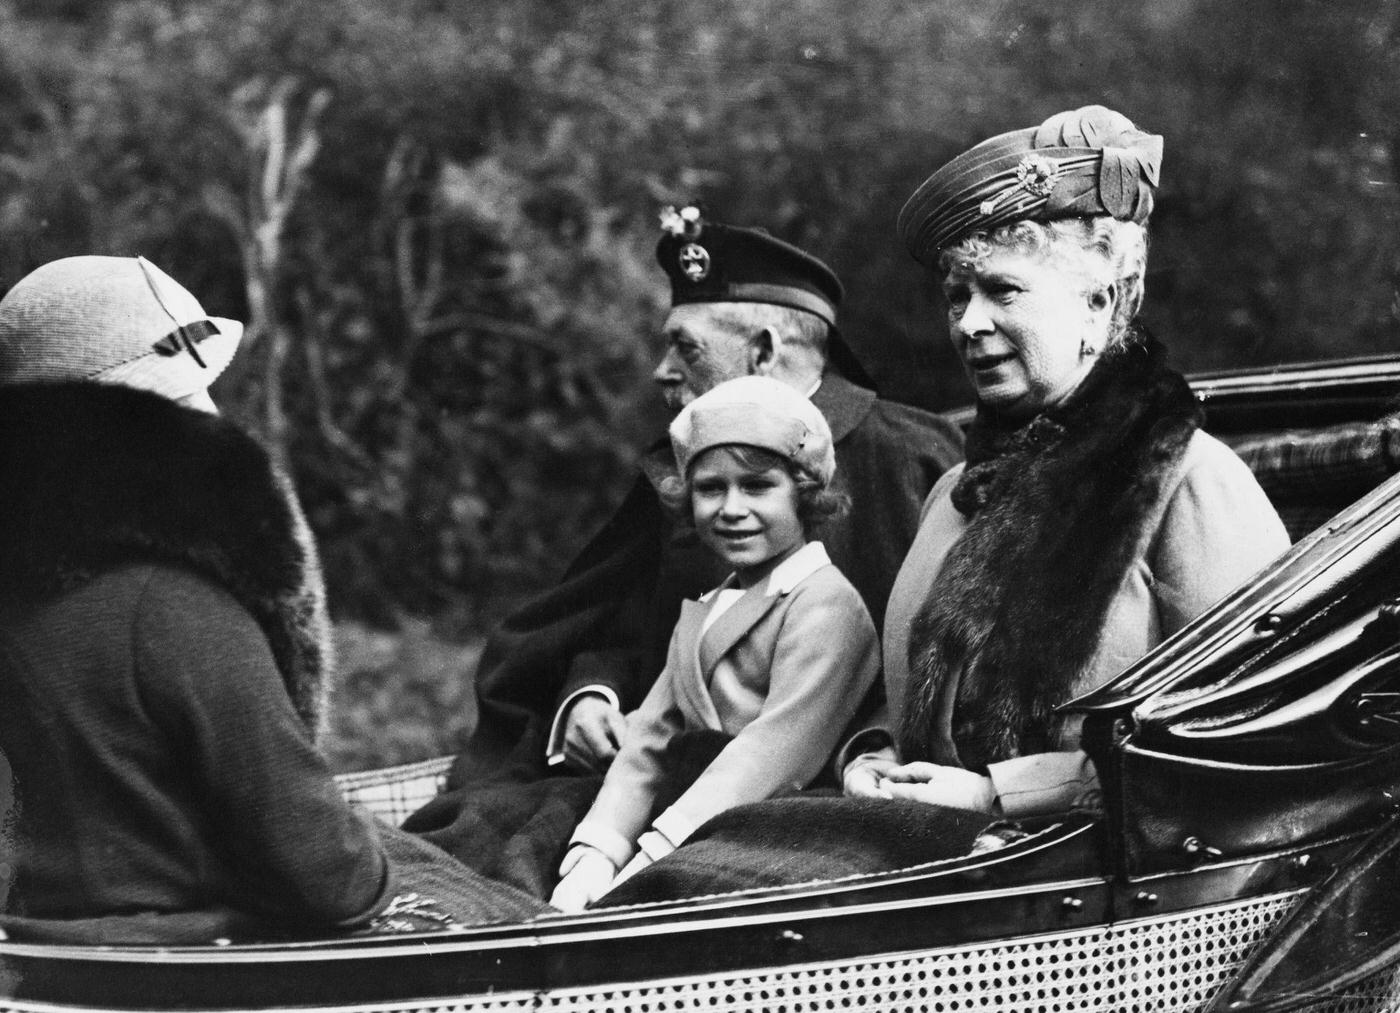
755 412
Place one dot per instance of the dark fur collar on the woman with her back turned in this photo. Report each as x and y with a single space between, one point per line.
97 476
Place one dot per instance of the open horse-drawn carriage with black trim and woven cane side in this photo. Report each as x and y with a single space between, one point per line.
1247 858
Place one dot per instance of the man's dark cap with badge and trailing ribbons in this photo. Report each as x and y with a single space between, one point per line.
710 262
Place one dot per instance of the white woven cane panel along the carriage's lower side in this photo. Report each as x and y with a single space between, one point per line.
1172 965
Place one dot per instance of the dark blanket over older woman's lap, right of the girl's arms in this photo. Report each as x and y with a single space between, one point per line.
799 840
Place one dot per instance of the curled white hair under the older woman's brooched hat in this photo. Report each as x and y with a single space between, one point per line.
1109 253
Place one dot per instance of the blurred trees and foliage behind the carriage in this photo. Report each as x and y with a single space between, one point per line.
439 218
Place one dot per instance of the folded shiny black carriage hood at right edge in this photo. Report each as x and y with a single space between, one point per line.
1270 721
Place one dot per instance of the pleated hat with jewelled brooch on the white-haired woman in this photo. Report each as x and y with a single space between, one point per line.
1090 162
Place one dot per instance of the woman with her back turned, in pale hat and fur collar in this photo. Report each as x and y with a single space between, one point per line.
164 650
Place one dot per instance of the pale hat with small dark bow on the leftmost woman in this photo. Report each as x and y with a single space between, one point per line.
118 321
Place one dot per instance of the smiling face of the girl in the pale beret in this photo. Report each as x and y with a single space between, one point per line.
747 516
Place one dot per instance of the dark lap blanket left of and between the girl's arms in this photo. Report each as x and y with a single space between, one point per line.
519 832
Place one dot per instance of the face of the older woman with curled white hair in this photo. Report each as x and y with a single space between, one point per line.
1027 327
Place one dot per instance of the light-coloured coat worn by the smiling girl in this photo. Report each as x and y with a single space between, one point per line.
782 672
